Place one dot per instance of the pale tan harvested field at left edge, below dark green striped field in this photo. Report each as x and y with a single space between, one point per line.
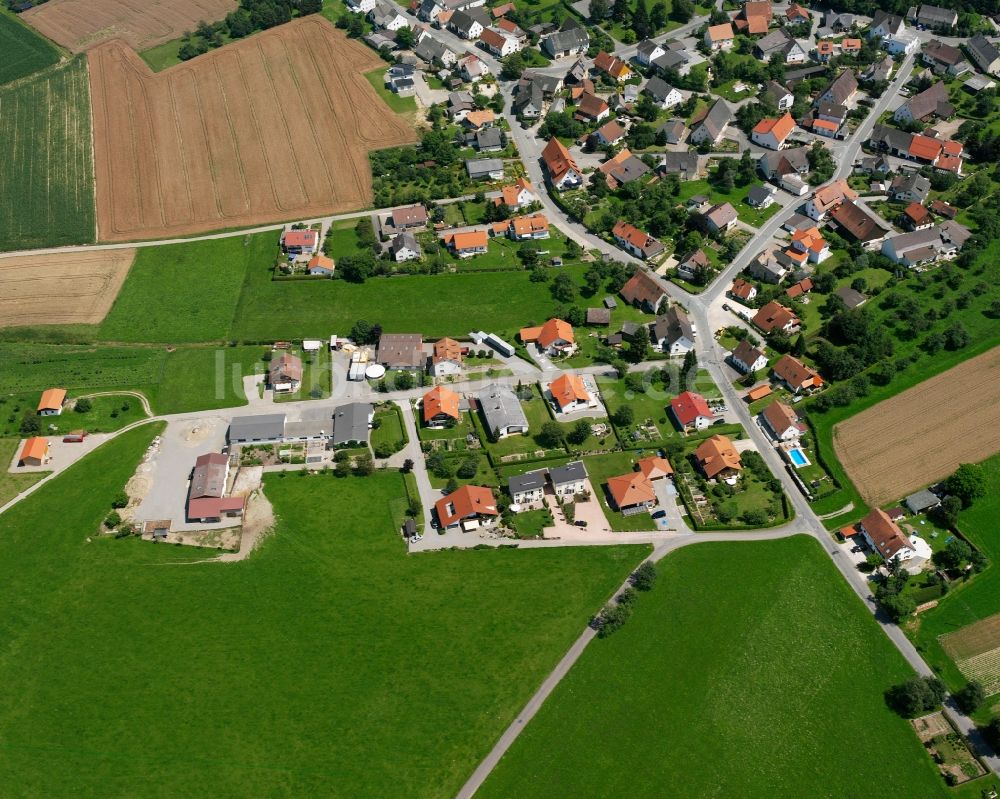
61 288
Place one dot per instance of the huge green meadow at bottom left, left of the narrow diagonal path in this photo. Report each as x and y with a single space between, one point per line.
315 667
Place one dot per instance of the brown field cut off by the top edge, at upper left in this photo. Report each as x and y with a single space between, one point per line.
80 24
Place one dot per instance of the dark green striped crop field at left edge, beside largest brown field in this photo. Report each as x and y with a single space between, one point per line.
47 173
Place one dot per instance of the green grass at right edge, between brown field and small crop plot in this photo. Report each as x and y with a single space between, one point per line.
980 598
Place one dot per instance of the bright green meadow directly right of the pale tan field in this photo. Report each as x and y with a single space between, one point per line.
189 292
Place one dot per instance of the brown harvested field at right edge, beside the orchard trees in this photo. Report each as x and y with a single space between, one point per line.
924 433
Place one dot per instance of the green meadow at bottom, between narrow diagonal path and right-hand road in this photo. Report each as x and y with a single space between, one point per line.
720 685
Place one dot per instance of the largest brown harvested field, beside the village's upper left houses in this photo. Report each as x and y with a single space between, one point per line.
274 127
